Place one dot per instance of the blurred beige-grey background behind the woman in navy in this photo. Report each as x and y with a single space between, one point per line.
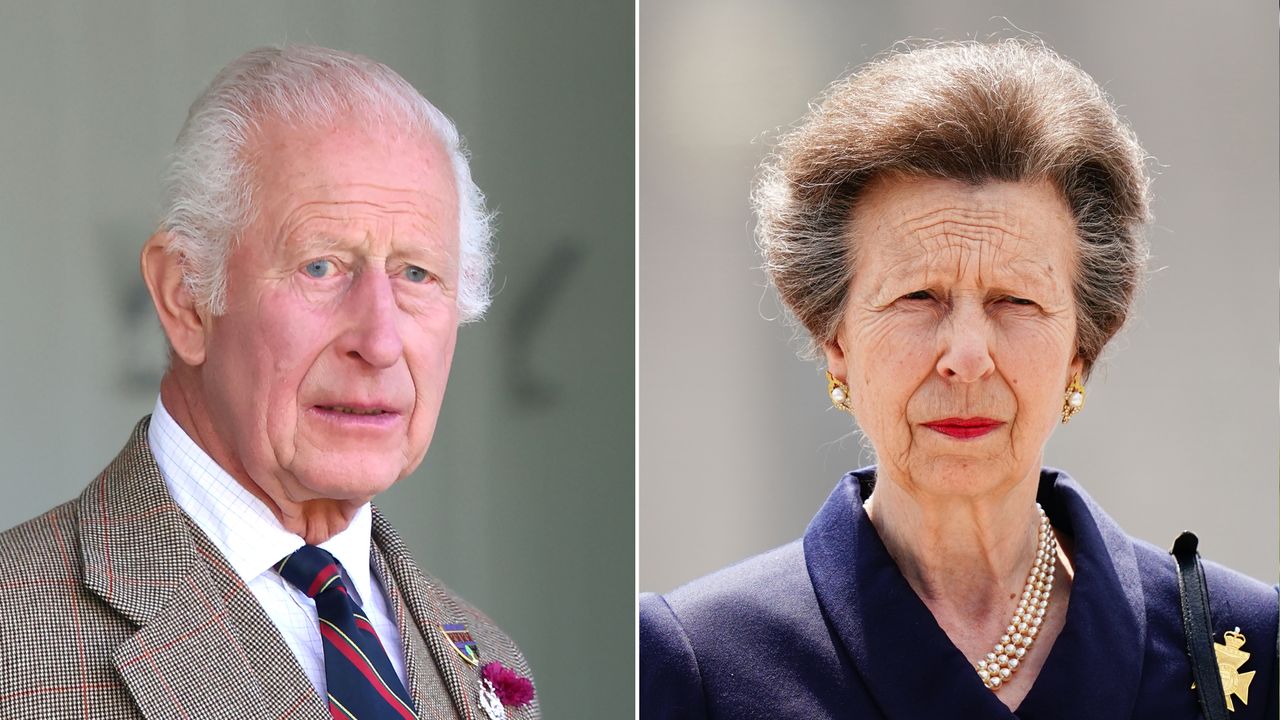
738 443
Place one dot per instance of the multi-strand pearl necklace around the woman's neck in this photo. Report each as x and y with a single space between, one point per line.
1000 666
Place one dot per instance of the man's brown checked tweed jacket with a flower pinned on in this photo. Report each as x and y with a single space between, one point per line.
117 607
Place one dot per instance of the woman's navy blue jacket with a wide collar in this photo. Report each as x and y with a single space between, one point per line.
828 627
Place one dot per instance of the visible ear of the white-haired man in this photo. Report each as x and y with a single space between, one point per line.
184 322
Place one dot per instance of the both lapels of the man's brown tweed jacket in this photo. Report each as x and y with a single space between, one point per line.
148 562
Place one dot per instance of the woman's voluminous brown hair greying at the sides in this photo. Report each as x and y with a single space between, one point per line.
970 112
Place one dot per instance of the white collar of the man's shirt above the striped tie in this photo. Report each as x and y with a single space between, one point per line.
240 525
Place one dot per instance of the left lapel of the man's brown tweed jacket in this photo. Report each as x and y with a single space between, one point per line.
186 660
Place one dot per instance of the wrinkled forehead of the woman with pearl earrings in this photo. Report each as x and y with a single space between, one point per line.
908 227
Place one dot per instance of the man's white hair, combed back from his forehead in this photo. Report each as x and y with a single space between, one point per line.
209 185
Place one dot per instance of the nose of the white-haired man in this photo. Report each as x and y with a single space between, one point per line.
373 332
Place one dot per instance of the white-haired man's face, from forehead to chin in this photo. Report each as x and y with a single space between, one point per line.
327 372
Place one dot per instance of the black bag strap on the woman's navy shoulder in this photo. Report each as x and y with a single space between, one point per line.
1200 632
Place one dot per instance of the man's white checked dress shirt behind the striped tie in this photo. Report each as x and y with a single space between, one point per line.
254 541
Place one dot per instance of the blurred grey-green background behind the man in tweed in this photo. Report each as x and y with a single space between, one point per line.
525 503
